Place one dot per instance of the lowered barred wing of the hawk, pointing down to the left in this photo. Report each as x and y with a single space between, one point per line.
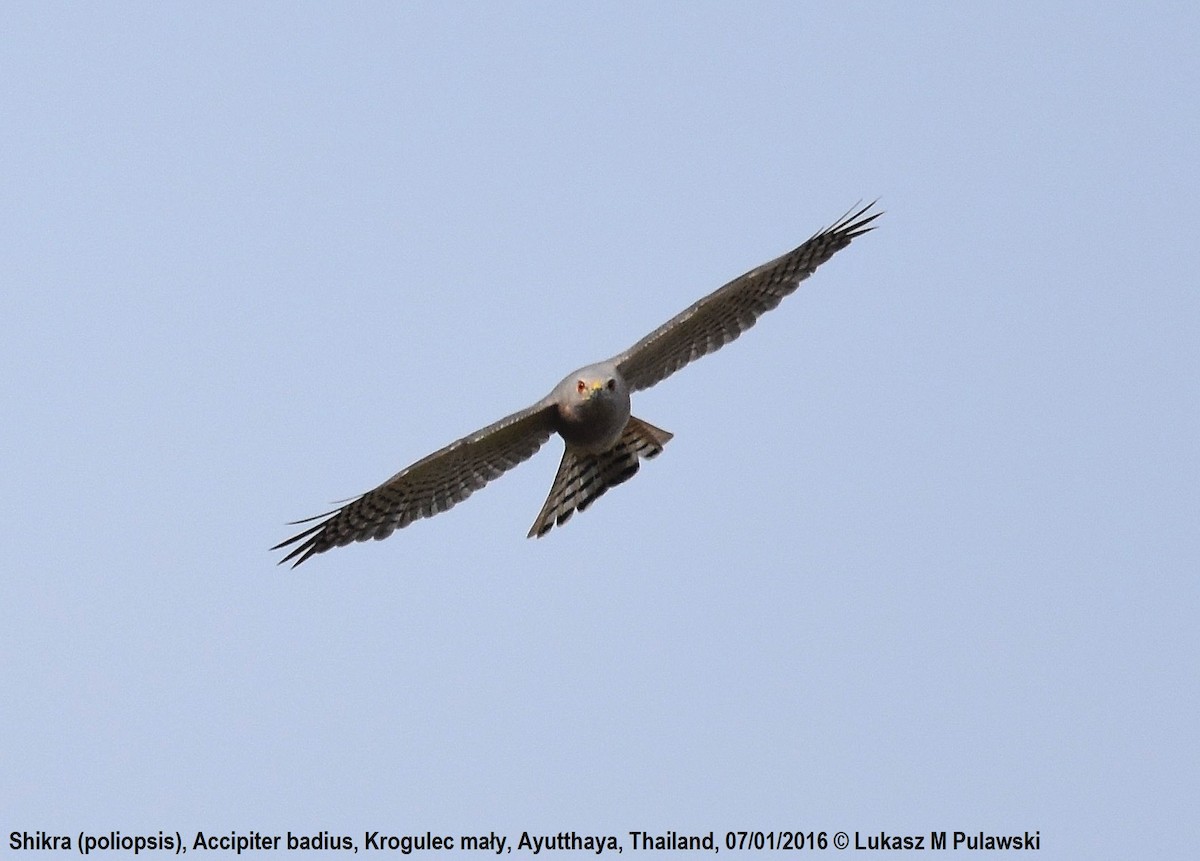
430 486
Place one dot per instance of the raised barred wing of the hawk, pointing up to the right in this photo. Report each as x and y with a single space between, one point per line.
724 315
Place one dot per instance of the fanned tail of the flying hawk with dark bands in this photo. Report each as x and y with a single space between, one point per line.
584 478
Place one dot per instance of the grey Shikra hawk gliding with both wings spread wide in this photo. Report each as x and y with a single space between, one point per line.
589 410
